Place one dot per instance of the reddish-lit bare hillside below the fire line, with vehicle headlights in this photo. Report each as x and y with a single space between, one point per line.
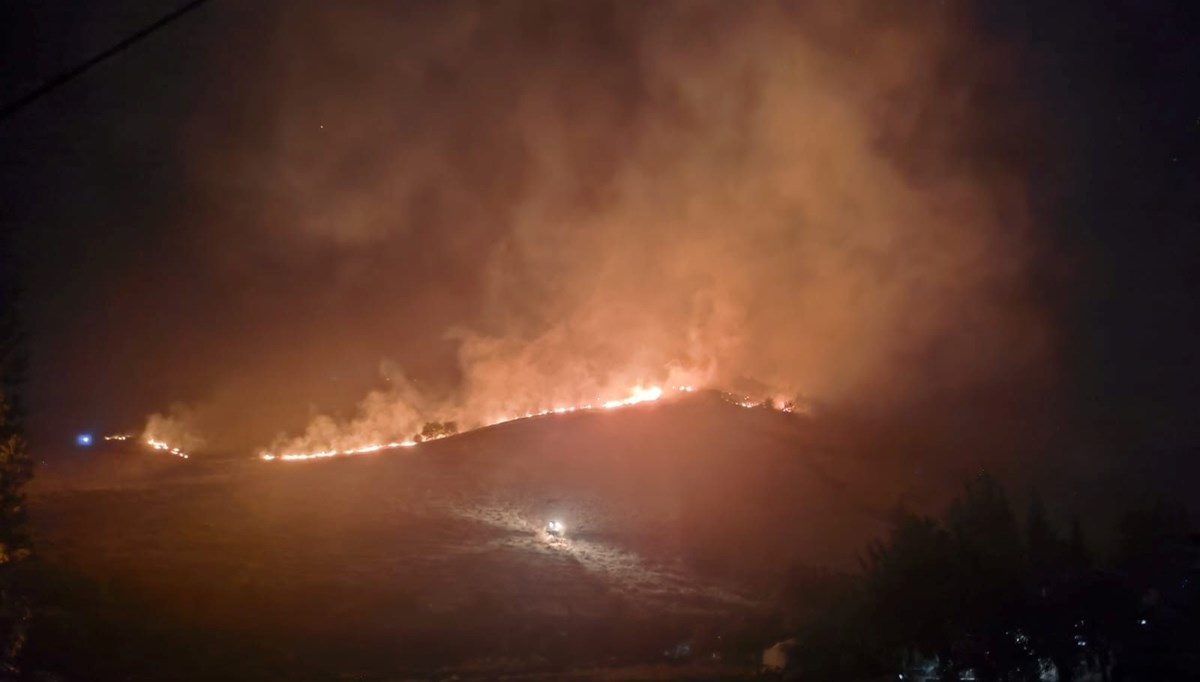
692 507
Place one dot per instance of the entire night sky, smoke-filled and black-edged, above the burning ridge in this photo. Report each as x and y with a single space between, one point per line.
268 208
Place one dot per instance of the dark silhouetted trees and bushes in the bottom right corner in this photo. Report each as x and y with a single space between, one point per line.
975 595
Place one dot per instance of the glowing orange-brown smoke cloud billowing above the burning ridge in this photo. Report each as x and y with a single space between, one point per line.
578 199
